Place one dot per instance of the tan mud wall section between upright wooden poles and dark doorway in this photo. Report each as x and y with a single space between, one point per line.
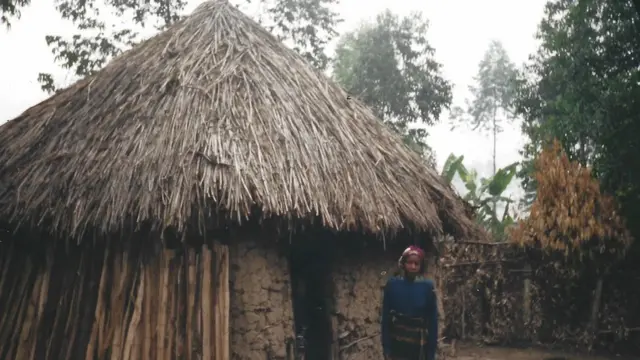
261 310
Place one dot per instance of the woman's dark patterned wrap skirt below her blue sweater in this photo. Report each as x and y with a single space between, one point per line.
408 337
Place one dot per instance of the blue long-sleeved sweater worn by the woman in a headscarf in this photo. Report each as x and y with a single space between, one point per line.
412 298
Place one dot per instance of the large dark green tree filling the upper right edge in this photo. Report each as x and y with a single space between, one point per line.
581 87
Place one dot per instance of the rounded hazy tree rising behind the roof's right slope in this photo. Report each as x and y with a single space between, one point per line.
390 66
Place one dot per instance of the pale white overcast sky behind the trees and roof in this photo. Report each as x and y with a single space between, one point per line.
460 31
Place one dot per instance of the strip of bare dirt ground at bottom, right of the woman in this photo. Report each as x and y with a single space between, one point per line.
468 352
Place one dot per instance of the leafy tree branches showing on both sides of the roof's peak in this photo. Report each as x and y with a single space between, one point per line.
309 25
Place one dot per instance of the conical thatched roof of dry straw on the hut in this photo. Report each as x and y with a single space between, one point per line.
214 112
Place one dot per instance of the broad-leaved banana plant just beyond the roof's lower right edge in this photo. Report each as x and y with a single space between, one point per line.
485 194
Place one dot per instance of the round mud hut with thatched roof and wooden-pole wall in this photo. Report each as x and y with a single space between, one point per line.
152 209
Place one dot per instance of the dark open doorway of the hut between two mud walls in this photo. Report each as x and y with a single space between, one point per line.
312 299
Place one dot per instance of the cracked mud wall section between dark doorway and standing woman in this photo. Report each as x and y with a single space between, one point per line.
359 283
